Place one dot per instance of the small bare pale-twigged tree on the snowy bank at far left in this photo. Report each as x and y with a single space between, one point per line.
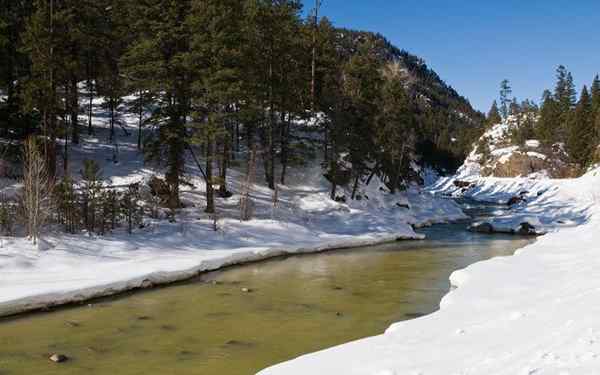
36 190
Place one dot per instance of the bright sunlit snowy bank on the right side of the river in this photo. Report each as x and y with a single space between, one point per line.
532 313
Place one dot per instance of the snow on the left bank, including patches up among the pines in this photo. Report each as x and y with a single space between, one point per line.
68 268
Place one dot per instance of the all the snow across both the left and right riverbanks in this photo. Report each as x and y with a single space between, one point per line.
532 313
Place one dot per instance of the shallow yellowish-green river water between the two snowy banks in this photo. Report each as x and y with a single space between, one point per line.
209 326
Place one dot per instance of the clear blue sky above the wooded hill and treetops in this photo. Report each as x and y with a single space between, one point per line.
474 44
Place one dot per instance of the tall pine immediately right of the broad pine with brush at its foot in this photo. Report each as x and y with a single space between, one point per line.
216 55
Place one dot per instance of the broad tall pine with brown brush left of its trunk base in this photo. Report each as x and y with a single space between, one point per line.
156 59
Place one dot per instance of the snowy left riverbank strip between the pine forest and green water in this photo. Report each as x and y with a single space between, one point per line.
76 268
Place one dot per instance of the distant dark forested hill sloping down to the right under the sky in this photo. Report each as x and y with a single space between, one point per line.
447 124
